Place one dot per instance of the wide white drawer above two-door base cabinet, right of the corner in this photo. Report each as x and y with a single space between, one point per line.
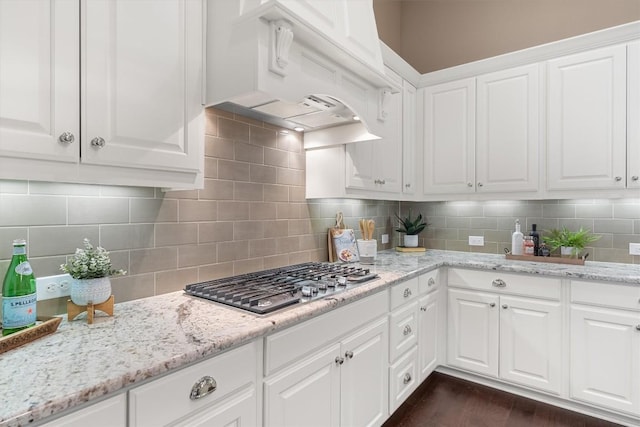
495 281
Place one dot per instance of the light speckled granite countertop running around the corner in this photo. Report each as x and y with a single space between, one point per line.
155 335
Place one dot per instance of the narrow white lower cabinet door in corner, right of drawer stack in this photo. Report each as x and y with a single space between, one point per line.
428 334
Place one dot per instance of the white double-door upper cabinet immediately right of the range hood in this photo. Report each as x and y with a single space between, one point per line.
377 165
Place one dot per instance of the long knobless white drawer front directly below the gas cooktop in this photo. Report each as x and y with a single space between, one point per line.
283 348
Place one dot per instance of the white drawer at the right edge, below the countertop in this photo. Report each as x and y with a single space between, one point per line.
606 294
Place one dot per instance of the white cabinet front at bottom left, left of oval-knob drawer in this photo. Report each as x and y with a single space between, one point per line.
111 412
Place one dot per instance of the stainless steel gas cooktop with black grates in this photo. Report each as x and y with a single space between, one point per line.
270 290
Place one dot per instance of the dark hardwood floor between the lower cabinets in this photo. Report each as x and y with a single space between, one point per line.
446 401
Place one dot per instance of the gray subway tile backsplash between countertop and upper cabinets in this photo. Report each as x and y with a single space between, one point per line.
253 214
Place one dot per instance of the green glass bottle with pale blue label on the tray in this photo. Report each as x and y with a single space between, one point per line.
18 292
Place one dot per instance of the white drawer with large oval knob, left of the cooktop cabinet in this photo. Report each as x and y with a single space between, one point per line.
168 398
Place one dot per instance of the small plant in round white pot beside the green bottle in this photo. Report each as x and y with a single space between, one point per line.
90 268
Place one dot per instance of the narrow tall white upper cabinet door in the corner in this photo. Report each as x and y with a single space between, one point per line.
409 140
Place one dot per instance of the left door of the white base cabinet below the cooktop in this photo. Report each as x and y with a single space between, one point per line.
307 394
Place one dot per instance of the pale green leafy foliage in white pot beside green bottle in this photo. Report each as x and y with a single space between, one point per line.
90 263
